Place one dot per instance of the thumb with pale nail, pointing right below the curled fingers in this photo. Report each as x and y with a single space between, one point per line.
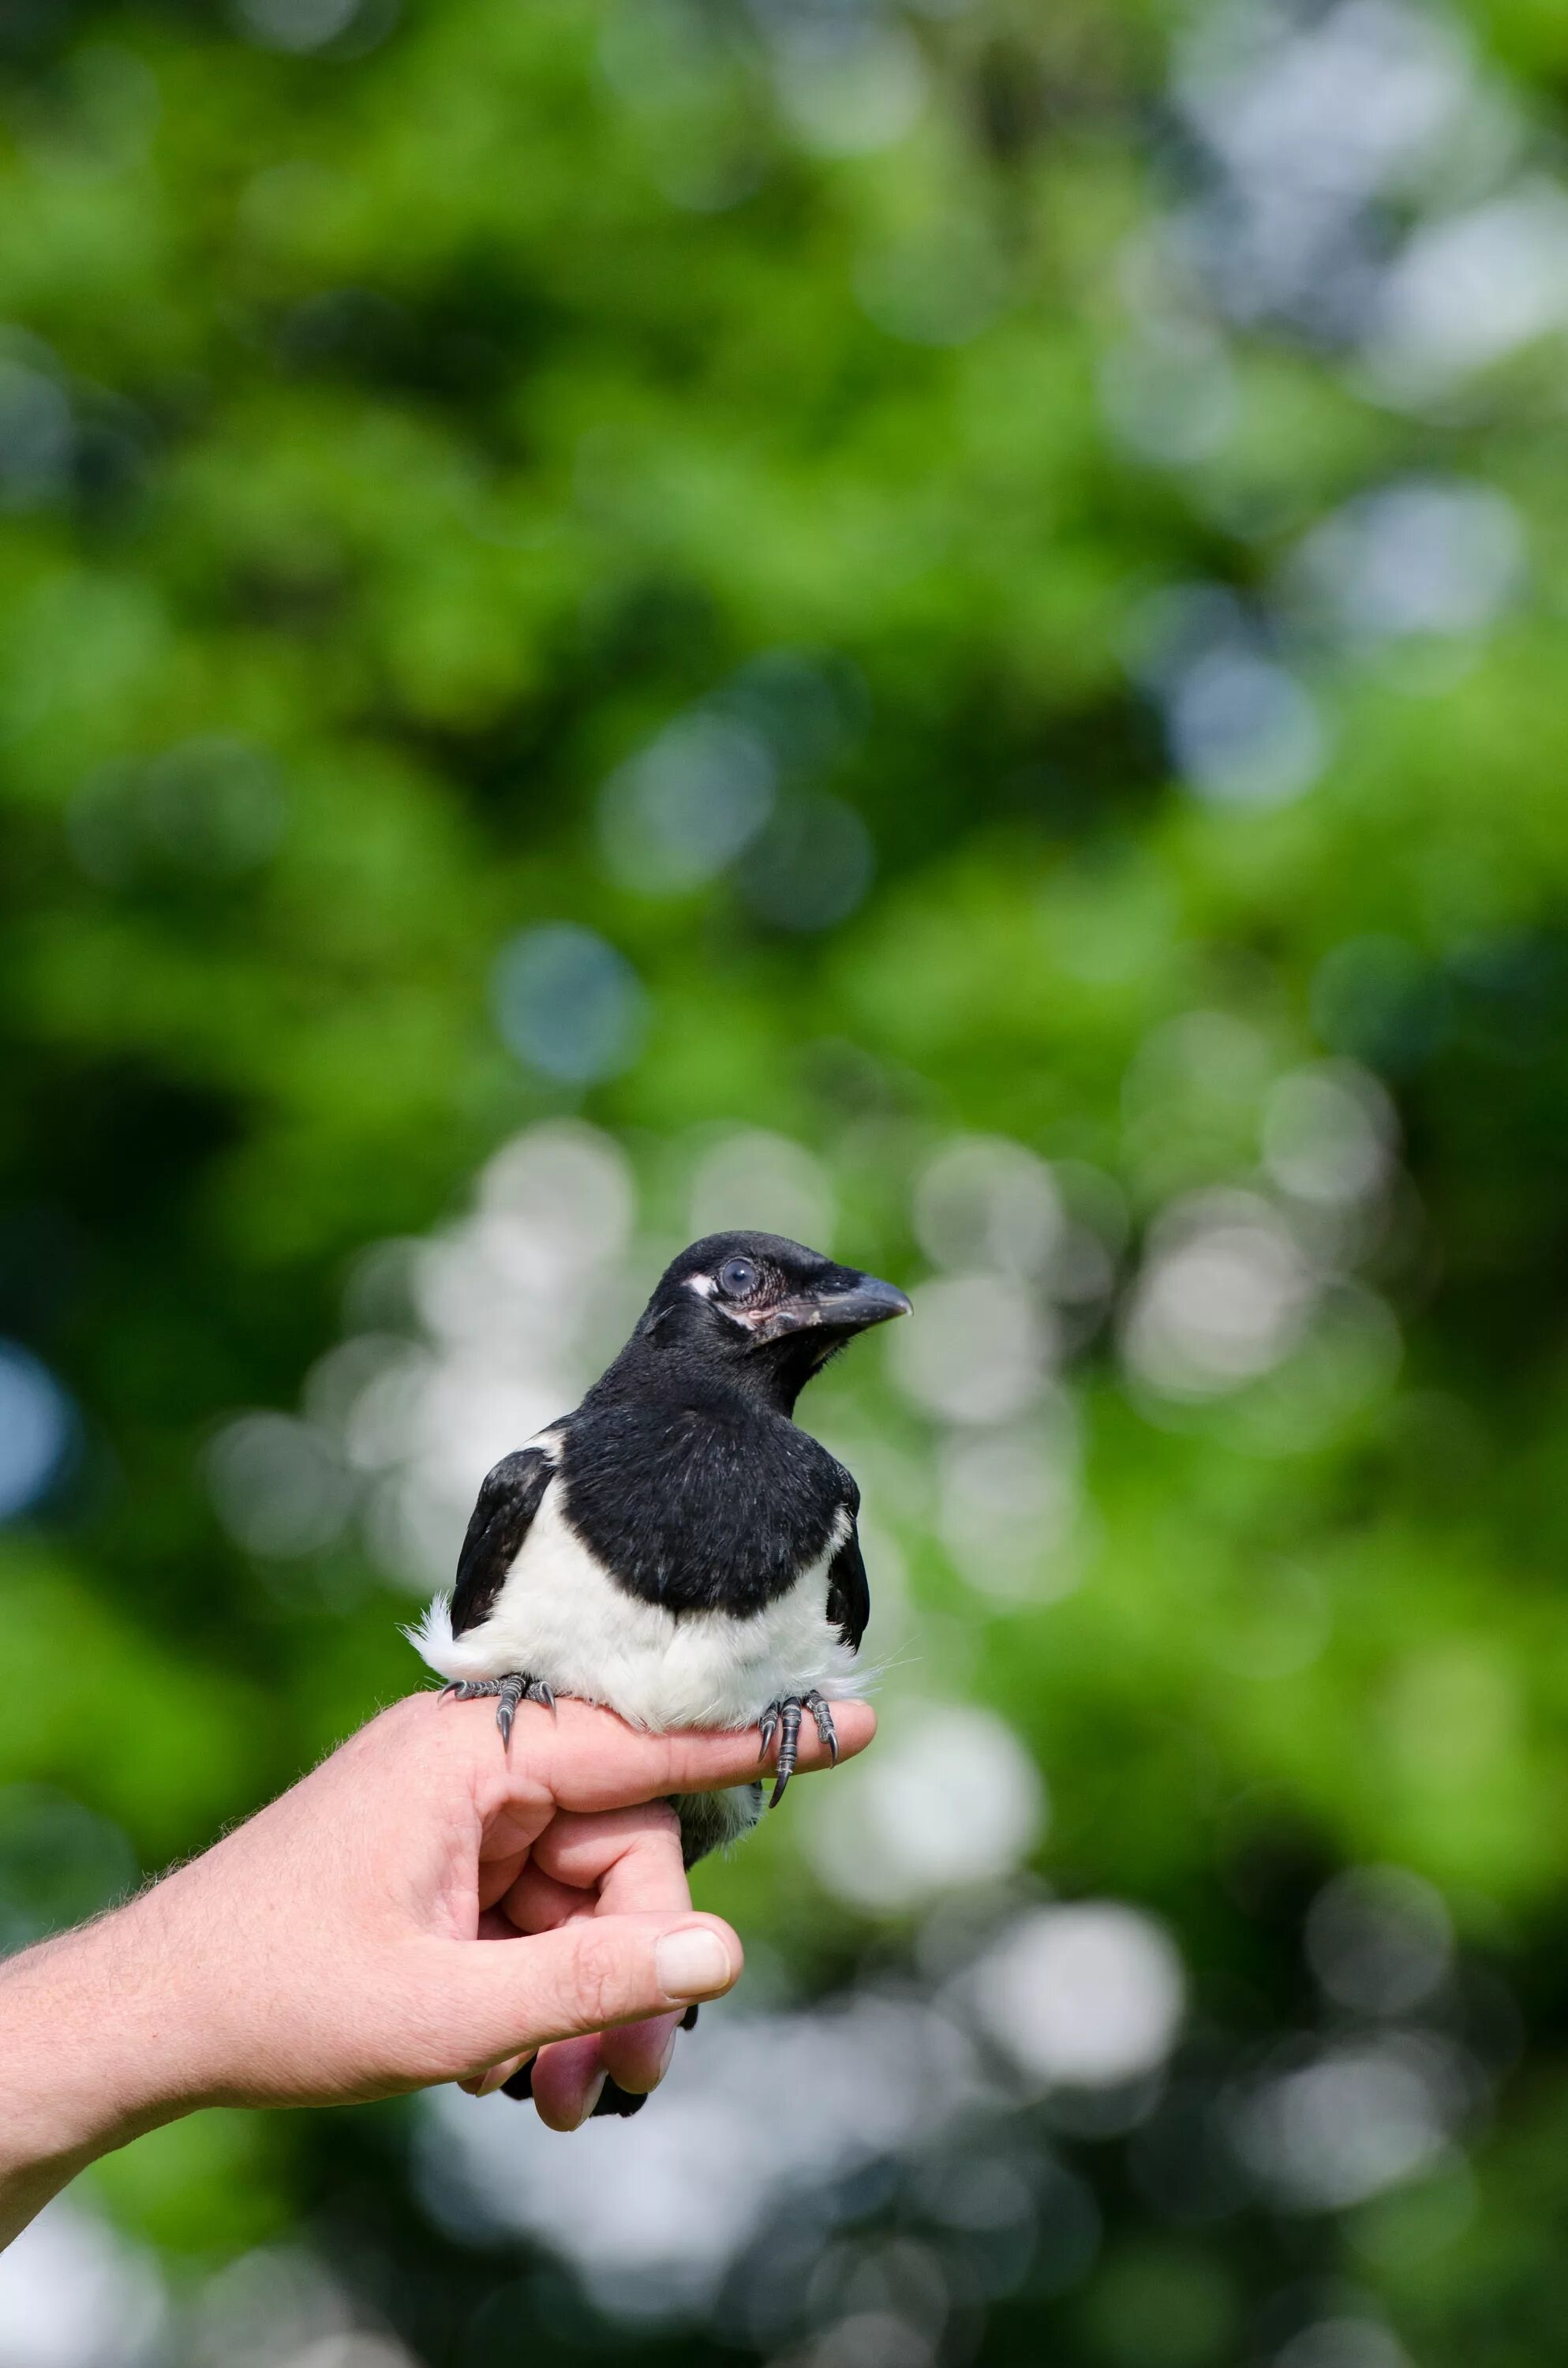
586 1976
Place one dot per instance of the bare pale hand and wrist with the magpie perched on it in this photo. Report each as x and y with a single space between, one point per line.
423 1907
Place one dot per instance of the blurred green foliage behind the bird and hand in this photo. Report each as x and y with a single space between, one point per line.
454 406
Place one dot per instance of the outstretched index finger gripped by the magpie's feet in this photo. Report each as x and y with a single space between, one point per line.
591 1761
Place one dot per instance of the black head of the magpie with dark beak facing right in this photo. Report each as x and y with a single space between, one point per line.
761 1311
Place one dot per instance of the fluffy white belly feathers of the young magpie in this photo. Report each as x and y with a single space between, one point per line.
560 1616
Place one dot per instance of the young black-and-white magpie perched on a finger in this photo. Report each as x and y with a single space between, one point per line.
679 1550
